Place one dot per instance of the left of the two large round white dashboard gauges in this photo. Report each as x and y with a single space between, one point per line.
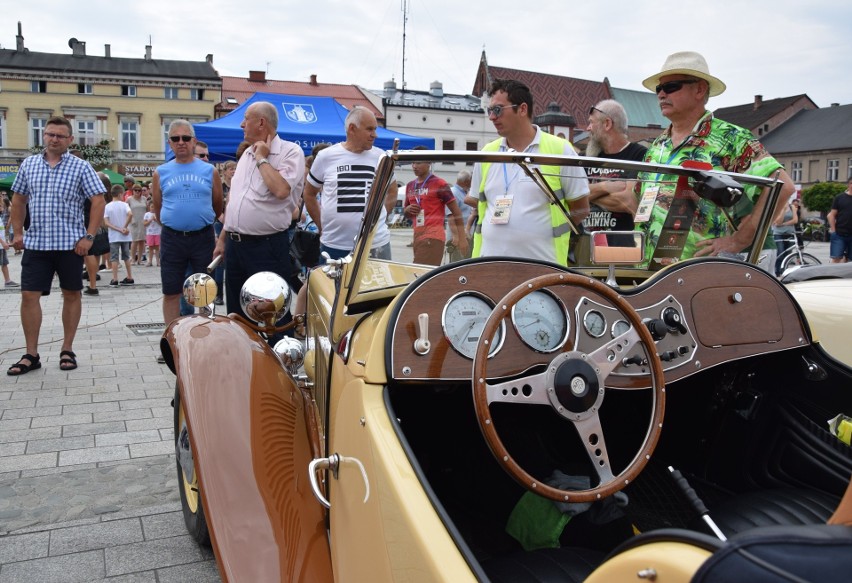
463 321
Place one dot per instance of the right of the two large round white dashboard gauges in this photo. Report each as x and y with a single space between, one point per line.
540 321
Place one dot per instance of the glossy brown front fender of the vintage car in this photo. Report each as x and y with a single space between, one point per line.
252 440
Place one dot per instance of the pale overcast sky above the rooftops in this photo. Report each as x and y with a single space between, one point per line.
775 49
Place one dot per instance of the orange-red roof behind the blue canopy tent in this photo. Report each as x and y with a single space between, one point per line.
241 88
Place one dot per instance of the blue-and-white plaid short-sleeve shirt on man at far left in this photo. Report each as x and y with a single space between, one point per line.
55 198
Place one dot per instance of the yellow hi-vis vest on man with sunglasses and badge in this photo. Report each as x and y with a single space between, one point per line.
548 144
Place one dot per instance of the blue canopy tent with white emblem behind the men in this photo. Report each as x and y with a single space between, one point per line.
304 120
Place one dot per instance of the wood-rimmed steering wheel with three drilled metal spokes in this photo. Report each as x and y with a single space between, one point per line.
573 385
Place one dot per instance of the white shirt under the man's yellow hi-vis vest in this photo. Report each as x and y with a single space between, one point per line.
528 232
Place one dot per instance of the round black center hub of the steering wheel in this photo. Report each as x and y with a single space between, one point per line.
574 389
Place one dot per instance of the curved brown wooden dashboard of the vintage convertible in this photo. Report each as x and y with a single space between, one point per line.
702 313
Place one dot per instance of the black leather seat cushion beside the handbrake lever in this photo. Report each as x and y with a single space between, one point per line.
773 507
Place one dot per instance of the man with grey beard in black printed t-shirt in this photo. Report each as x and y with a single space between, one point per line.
612 201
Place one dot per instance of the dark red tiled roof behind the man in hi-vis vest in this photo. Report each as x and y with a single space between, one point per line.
574 96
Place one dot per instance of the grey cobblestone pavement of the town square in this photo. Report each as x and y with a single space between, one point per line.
88 485
